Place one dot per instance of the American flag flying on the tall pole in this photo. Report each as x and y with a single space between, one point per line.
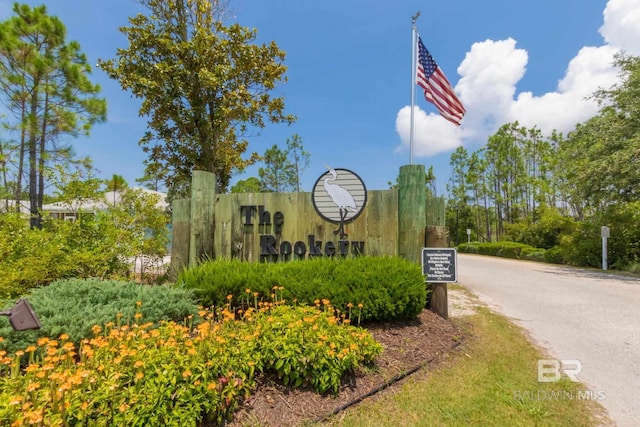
437 88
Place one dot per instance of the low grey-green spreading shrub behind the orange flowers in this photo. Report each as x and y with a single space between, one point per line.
73 306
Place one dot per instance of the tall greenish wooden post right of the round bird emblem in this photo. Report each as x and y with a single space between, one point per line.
411 212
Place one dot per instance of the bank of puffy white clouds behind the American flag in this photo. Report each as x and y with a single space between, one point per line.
490 72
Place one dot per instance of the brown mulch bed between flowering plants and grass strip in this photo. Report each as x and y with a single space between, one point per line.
409 346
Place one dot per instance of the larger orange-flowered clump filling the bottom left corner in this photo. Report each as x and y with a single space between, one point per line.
133 375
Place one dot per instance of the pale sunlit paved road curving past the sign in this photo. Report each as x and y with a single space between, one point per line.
575 314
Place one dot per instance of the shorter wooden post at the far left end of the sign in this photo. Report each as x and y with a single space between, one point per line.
180 236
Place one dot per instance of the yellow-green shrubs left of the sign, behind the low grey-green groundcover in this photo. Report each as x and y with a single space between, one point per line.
98 244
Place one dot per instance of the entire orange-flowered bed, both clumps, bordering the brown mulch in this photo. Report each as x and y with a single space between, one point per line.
176 375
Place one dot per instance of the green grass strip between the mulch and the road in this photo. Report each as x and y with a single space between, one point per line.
492 380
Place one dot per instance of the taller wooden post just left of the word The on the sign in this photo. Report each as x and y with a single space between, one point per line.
203 197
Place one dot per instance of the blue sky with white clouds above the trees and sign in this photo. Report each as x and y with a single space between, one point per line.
349 75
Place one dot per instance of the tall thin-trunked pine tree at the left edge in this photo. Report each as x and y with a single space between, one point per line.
45 85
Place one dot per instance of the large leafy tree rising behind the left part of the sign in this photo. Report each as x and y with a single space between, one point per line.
204 87
